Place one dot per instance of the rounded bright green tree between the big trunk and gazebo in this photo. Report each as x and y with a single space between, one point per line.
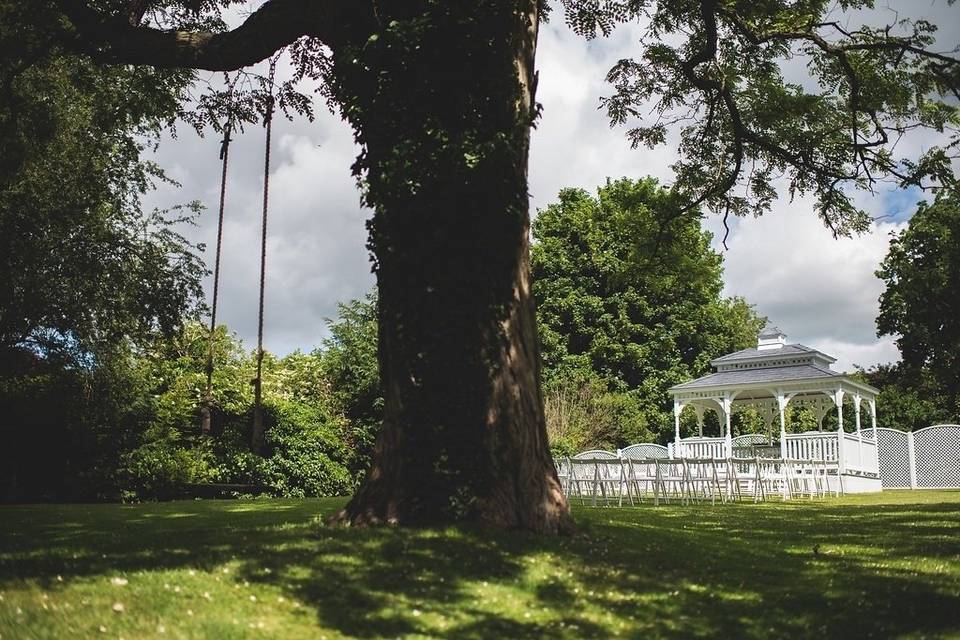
628 290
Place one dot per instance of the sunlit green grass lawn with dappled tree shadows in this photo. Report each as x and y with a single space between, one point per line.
885 565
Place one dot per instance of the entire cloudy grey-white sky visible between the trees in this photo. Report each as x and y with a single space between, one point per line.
819 290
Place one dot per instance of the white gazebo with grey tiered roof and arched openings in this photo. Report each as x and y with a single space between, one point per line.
770 377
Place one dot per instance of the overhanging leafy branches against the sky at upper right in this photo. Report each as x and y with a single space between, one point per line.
727 75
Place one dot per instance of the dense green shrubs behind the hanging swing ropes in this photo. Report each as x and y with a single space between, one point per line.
128 427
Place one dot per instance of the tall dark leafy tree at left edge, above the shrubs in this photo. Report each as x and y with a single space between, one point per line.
84 267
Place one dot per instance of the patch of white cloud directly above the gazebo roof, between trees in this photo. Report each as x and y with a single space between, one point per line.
820 290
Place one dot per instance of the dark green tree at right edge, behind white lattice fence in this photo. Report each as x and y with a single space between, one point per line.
921 303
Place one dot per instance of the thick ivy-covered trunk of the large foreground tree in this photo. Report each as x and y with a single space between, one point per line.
445 128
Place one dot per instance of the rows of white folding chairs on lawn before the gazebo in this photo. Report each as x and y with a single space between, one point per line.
616 481
